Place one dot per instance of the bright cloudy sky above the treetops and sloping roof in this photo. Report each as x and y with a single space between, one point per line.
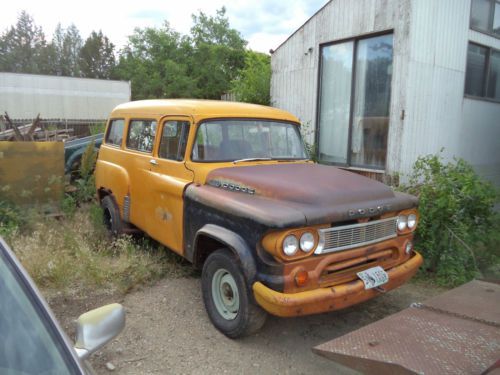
265 24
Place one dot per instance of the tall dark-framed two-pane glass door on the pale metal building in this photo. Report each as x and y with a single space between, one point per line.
355 89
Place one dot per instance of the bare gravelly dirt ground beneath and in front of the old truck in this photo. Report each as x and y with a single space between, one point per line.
168 332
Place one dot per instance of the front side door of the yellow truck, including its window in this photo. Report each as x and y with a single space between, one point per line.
167 181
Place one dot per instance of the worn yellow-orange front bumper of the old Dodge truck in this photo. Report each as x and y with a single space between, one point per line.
332 298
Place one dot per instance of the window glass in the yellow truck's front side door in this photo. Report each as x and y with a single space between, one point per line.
173 140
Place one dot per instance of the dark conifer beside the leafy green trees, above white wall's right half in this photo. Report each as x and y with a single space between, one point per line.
97 59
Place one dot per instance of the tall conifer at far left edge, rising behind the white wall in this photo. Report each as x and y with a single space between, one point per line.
22 47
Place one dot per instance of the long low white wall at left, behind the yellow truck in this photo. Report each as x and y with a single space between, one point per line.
26 95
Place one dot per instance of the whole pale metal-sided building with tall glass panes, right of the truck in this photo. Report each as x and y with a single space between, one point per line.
439 87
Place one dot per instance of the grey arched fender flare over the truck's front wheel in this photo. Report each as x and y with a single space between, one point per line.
235 243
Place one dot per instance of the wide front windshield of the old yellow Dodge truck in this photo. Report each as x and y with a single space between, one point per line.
237 140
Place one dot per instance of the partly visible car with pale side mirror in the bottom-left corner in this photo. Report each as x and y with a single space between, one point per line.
32 342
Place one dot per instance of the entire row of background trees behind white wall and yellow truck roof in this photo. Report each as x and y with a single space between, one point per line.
160 62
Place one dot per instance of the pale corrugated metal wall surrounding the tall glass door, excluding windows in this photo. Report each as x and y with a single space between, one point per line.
428 108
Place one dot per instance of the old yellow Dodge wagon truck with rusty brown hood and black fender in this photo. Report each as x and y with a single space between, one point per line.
230 187
